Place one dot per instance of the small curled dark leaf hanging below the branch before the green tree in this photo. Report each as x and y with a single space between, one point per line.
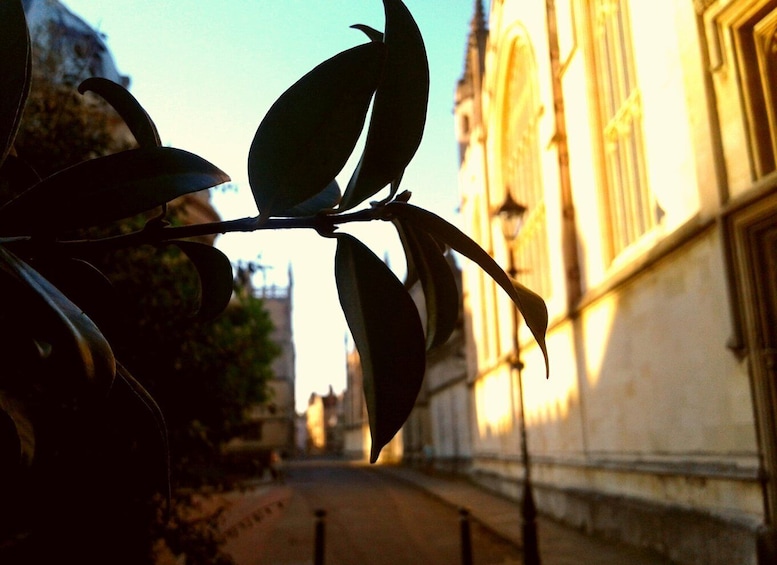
215 272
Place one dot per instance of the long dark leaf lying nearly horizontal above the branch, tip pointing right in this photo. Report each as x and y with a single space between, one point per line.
106 189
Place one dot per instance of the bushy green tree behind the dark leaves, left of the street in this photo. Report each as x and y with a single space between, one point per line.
204 373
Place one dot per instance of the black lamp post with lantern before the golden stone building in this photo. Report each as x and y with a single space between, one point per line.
511 215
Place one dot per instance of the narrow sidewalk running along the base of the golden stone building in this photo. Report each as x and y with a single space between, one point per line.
559 545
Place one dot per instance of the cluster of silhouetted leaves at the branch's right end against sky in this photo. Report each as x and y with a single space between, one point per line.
302 145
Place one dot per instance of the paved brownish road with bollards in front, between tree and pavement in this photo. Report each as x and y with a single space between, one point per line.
372 519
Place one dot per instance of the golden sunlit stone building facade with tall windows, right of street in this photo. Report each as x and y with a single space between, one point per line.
640 138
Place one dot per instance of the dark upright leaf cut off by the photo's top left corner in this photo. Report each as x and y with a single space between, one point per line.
15 65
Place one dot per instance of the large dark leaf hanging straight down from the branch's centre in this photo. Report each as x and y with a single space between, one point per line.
387 330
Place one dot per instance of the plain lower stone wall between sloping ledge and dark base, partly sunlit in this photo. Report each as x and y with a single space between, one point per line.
642 370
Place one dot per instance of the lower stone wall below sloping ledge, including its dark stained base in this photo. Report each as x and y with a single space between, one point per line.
645 410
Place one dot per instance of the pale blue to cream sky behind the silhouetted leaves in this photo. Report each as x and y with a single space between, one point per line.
208 70
